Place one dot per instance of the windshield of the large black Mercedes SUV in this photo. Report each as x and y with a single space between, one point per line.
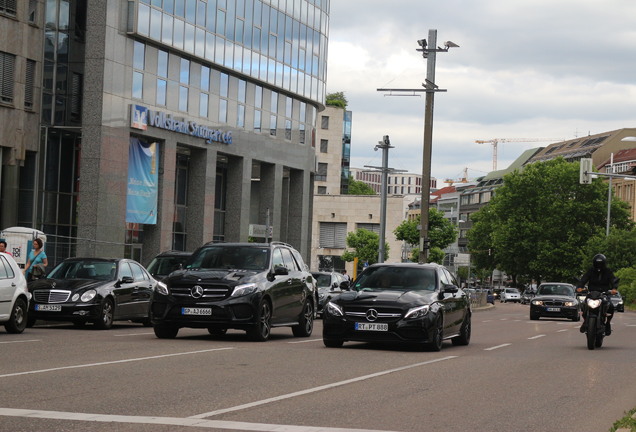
230 257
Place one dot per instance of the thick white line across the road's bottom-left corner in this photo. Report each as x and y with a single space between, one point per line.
172 421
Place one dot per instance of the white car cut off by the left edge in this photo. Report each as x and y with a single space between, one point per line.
14 295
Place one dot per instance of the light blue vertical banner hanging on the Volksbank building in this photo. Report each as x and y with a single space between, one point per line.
143 182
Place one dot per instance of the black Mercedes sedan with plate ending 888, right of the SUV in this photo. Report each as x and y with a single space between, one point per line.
412 303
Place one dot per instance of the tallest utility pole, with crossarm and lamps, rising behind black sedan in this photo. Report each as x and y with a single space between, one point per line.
430 88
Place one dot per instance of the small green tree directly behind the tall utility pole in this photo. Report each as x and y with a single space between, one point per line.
441 232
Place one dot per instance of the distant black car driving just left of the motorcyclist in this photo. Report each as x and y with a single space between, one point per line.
555 300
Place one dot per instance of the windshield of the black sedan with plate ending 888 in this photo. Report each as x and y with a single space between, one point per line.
396 278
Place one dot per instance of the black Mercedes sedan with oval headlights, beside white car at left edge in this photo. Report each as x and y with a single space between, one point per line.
93 290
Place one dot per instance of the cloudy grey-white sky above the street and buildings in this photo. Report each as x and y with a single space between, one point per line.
527 69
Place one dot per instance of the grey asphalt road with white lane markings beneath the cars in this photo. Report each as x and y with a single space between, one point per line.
516 375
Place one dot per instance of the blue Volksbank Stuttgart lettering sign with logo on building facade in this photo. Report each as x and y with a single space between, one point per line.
141 117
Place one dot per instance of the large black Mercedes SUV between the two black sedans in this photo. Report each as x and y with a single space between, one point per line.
245 286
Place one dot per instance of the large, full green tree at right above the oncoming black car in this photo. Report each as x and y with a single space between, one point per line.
538 223
